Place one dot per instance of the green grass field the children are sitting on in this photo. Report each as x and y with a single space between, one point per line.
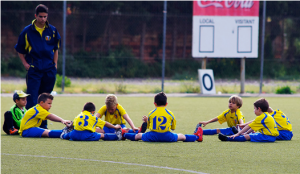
45 155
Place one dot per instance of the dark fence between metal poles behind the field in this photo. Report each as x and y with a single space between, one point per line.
130 45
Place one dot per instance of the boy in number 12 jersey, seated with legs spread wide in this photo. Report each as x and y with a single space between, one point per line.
161 121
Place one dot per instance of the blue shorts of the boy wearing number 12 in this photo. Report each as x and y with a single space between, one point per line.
159 137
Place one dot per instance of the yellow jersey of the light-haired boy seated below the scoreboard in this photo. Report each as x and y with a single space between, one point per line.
232 119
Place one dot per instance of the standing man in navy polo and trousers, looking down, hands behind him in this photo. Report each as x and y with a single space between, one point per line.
37 48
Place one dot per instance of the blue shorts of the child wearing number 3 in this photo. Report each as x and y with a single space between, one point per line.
84 136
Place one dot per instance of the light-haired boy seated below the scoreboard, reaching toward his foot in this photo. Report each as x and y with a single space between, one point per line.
232 116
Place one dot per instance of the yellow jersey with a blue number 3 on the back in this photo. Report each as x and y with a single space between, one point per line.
87 121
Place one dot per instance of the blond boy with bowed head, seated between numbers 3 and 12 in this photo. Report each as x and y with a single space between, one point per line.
115 114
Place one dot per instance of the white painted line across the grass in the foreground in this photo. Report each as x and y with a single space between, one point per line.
103 161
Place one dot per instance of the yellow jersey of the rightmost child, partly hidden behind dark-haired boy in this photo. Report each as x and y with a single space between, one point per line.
282 121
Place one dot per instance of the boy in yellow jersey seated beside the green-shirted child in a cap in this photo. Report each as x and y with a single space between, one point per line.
34 117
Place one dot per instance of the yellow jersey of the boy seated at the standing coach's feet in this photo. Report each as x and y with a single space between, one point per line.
33 118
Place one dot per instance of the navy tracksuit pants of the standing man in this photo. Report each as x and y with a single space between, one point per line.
39 82
